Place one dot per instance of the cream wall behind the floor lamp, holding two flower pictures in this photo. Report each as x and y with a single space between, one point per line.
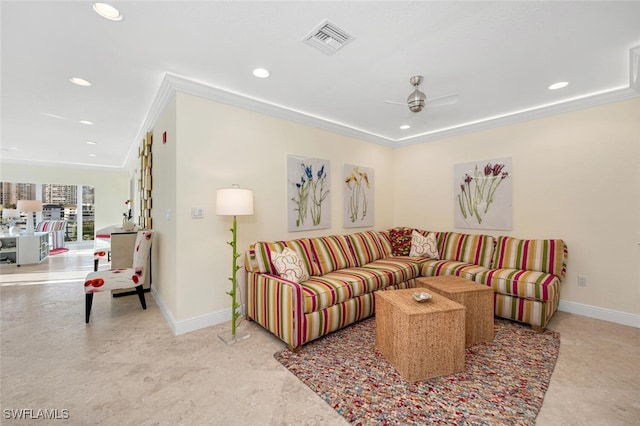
218 145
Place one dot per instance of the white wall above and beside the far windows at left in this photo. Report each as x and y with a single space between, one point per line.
111 187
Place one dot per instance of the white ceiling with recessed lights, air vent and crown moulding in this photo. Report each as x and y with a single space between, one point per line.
498 58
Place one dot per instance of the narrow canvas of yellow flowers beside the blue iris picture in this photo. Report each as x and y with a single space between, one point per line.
358 196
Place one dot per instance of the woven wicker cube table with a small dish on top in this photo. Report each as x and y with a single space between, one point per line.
421 340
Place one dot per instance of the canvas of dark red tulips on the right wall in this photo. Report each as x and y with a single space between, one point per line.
483 195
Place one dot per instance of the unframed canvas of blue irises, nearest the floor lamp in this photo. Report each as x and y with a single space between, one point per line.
308 204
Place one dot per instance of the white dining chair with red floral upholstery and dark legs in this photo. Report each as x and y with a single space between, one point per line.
118 278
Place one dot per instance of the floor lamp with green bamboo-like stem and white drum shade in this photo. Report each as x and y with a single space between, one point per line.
234 201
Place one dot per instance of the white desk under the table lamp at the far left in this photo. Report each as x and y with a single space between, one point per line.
24 249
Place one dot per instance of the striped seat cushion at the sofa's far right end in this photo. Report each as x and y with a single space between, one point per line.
533 285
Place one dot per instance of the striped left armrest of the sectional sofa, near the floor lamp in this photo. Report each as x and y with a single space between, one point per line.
276 304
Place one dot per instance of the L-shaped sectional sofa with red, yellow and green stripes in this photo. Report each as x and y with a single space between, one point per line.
336 276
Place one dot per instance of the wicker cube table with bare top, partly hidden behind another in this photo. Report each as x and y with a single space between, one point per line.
477 298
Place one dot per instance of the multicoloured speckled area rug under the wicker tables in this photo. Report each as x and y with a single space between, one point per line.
504 381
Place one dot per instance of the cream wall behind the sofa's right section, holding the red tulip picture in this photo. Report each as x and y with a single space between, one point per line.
576 176
